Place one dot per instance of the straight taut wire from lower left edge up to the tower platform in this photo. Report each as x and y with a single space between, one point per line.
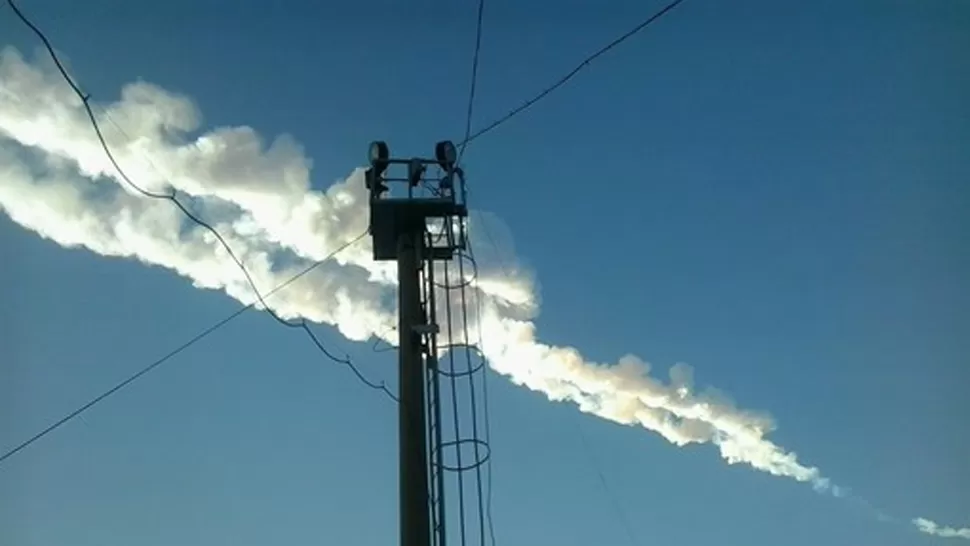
198 337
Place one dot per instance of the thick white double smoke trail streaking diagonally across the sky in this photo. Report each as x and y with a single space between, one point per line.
56 181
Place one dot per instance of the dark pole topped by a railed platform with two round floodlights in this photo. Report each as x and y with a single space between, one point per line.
400 231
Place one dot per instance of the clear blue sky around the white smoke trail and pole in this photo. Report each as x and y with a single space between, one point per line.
772 193
